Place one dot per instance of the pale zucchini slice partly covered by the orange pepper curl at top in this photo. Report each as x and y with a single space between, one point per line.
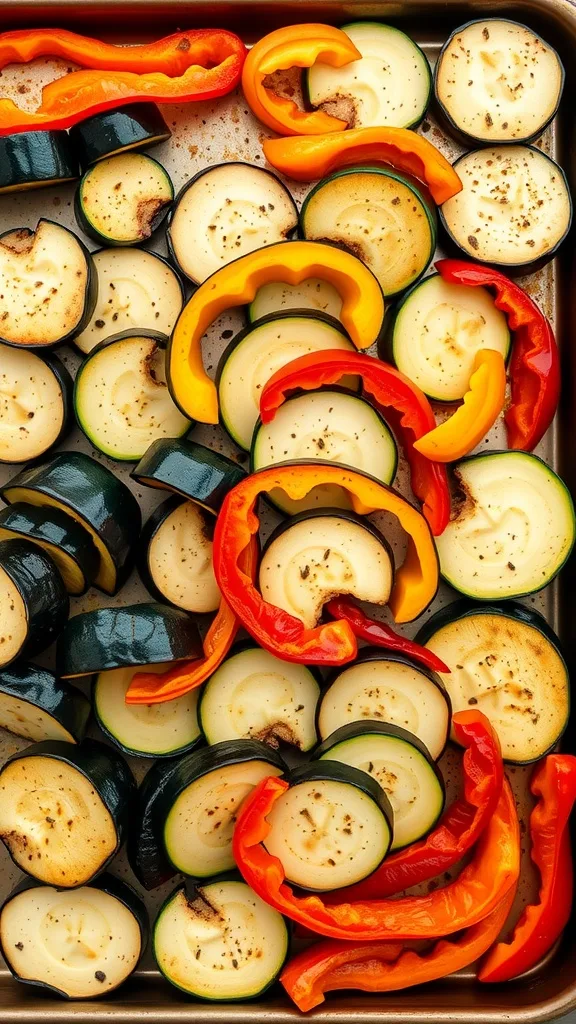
390 86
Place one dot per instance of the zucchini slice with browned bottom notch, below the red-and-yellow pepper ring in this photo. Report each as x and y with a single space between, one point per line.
255 696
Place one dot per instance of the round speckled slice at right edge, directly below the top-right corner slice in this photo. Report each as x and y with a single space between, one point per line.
515 208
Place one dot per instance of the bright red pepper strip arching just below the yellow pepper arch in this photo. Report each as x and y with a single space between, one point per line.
393 393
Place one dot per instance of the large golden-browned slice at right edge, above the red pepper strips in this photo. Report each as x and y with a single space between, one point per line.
506 661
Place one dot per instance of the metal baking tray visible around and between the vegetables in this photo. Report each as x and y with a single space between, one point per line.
205 135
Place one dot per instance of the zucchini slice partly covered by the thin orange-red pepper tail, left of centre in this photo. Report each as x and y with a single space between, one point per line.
146 731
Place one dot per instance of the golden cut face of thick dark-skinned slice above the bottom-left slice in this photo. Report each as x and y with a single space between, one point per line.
54 822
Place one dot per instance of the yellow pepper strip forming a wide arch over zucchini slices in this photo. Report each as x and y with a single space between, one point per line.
237 284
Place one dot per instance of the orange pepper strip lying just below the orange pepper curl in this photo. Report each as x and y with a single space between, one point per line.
311 157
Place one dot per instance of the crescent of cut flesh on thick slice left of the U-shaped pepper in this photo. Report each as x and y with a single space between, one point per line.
200 825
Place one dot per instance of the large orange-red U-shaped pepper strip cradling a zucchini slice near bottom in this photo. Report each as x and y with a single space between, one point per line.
482 885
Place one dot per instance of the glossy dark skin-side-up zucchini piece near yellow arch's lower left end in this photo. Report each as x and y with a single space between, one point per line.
191 471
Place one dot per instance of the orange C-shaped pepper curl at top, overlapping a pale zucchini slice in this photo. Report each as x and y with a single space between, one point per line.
295 47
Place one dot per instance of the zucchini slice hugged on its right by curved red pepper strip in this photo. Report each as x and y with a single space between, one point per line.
437 332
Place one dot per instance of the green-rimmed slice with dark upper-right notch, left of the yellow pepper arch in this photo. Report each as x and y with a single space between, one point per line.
121 399
